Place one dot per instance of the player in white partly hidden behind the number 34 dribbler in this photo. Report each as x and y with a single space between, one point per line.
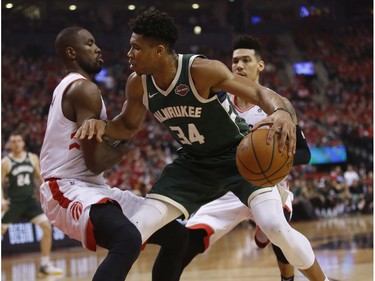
217 218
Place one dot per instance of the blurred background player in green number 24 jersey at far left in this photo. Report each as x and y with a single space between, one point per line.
19 170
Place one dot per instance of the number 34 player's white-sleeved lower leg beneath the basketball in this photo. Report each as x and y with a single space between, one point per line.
295 246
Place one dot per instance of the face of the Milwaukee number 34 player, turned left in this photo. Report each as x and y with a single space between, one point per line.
144 54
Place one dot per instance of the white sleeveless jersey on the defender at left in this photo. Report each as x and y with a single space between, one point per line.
61 155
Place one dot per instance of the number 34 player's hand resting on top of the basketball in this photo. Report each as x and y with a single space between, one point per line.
280 122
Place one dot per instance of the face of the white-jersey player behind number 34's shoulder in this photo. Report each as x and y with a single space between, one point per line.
245 63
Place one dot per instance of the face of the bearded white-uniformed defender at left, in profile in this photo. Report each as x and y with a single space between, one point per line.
88 54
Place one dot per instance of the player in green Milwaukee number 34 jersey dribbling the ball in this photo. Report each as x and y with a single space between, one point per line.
178 90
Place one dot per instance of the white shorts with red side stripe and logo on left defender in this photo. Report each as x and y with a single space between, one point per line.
67 203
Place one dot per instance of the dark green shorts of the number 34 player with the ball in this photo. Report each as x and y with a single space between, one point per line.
192 181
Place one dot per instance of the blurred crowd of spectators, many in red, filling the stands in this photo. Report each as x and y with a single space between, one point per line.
334 106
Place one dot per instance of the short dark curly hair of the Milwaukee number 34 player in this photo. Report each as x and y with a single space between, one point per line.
157 25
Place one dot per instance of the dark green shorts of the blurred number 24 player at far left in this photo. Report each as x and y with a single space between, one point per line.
22 210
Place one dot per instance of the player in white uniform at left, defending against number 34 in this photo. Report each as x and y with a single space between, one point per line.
74 195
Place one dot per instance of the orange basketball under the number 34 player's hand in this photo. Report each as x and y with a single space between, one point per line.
262 164
